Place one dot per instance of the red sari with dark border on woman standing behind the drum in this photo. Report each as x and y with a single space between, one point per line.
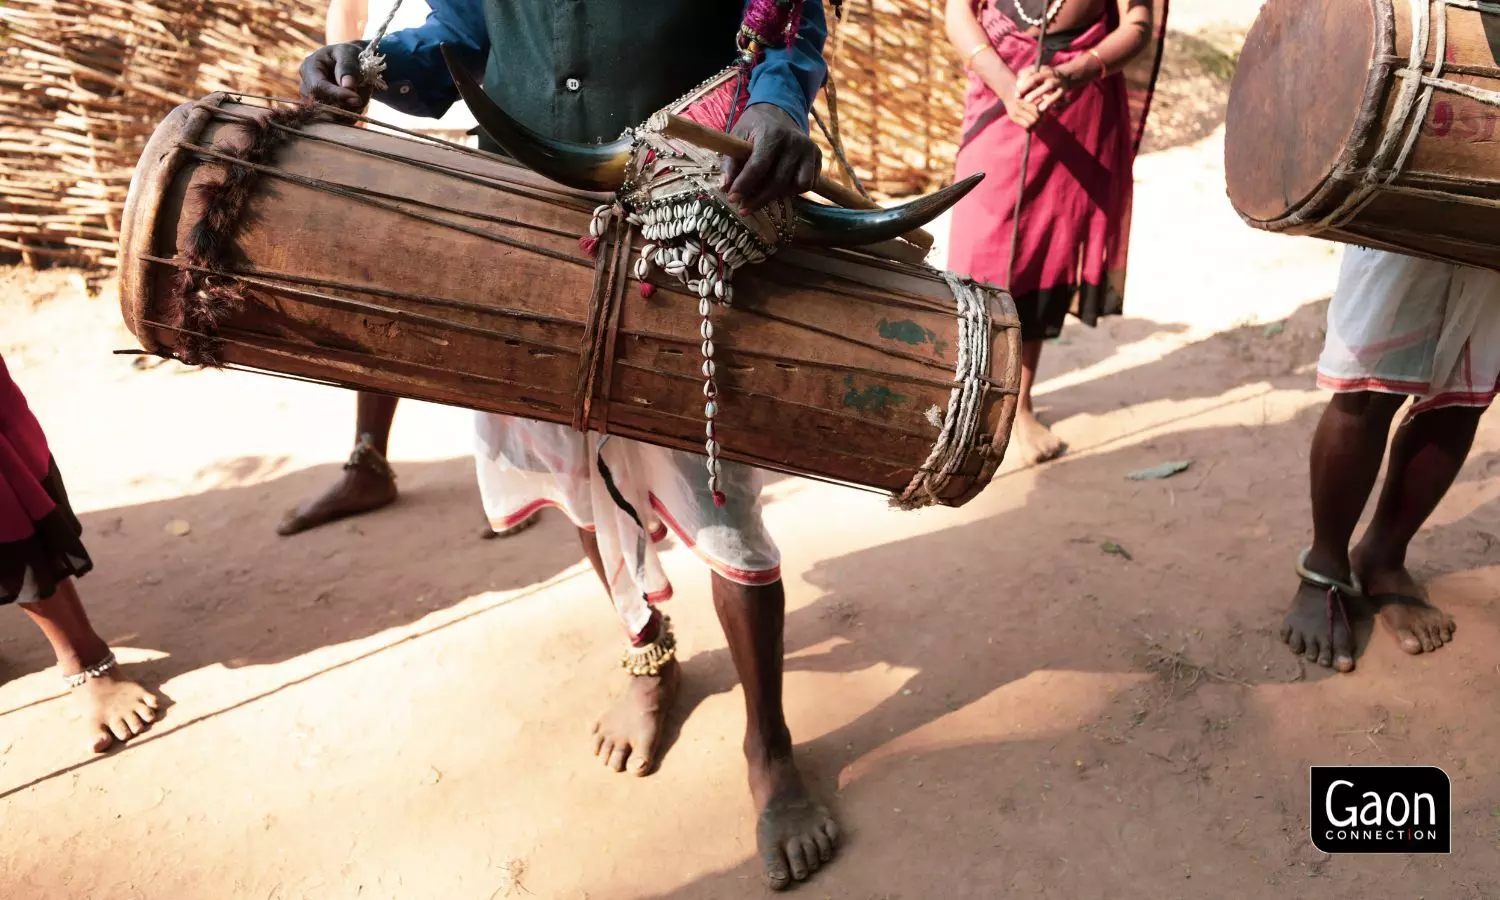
1079 182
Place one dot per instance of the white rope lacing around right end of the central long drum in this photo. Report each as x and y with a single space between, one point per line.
965 406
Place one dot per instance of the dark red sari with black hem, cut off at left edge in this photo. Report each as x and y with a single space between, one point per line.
40 536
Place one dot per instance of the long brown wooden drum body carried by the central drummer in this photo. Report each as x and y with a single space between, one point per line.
380 263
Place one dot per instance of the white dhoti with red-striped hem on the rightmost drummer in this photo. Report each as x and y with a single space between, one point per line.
1420 328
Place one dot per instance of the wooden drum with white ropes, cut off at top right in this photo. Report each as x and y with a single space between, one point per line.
1372 122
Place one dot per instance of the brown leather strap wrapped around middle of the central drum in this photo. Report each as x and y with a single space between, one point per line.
602 331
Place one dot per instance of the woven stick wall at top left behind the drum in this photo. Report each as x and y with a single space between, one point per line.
83 83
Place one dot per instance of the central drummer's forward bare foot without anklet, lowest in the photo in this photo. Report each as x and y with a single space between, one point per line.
794 833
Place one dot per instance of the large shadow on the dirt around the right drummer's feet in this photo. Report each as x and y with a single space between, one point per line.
1099 703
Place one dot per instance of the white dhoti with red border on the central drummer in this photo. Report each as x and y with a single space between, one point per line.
629 496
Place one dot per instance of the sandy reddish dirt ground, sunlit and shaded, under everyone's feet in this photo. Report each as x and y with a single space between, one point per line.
1069 689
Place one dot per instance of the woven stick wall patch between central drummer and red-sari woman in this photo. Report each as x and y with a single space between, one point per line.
901 95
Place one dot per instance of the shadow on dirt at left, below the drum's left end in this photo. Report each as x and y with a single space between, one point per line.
230 575
